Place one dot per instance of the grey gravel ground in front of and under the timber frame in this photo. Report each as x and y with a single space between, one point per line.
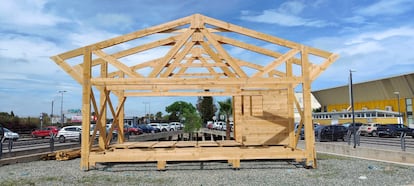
332 170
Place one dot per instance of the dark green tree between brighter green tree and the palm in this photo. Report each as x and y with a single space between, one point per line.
206 108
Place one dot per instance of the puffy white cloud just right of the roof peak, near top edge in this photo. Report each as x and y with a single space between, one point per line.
286 15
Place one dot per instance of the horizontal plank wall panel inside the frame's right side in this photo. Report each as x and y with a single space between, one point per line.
262 119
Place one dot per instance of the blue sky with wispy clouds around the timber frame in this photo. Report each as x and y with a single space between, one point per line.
375 38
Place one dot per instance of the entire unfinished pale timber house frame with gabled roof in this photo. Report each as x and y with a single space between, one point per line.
197 57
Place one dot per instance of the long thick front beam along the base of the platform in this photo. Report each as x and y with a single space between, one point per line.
196 154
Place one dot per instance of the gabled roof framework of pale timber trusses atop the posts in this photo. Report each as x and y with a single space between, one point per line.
196 60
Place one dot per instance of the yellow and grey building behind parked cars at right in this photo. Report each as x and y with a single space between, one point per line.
388 100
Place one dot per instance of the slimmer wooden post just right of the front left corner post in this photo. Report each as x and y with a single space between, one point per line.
103 94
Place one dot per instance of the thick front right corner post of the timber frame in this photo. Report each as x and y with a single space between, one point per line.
307 111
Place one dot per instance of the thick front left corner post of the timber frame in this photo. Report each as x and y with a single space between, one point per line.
86 108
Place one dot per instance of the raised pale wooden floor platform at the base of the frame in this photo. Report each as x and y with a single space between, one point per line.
169 151
